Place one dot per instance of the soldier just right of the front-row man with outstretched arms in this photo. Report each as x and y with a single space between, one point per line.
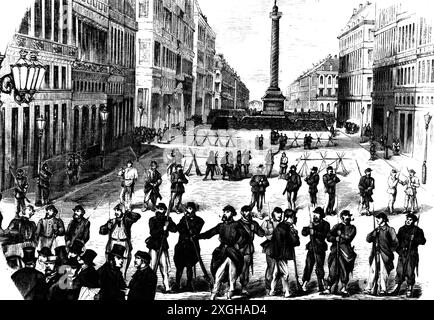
251 227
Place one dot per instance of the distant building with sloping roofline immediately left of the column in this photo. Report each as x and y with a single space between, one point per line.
230 91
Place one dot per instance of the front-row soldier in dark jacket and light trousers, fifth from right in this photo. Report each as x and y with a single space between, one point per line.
284 240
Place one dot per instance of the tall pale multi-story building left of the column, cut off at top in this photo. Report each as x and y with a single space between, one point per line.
164 69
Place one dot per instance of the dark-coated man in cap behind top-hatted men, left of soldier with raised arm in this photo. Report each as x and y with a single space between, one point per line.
79 227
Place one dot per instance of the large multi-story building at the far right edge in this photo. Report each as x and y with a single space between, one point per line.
403 76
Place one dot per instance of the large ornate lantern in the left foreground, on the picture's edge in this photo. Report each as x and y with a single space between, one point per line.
25 78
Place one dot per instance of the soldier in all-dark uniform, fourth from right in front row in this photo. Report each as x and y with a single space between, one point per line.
318 230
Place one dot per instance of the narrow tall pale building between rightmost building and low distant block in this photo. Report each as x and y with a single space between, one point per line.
356 46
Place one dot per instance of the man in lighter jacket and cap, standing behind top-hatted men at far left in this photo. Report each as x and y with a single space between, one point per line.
49 228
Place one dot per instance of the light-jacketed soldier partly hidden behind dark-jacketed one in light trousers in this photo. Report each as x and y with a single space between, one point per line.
268 226
